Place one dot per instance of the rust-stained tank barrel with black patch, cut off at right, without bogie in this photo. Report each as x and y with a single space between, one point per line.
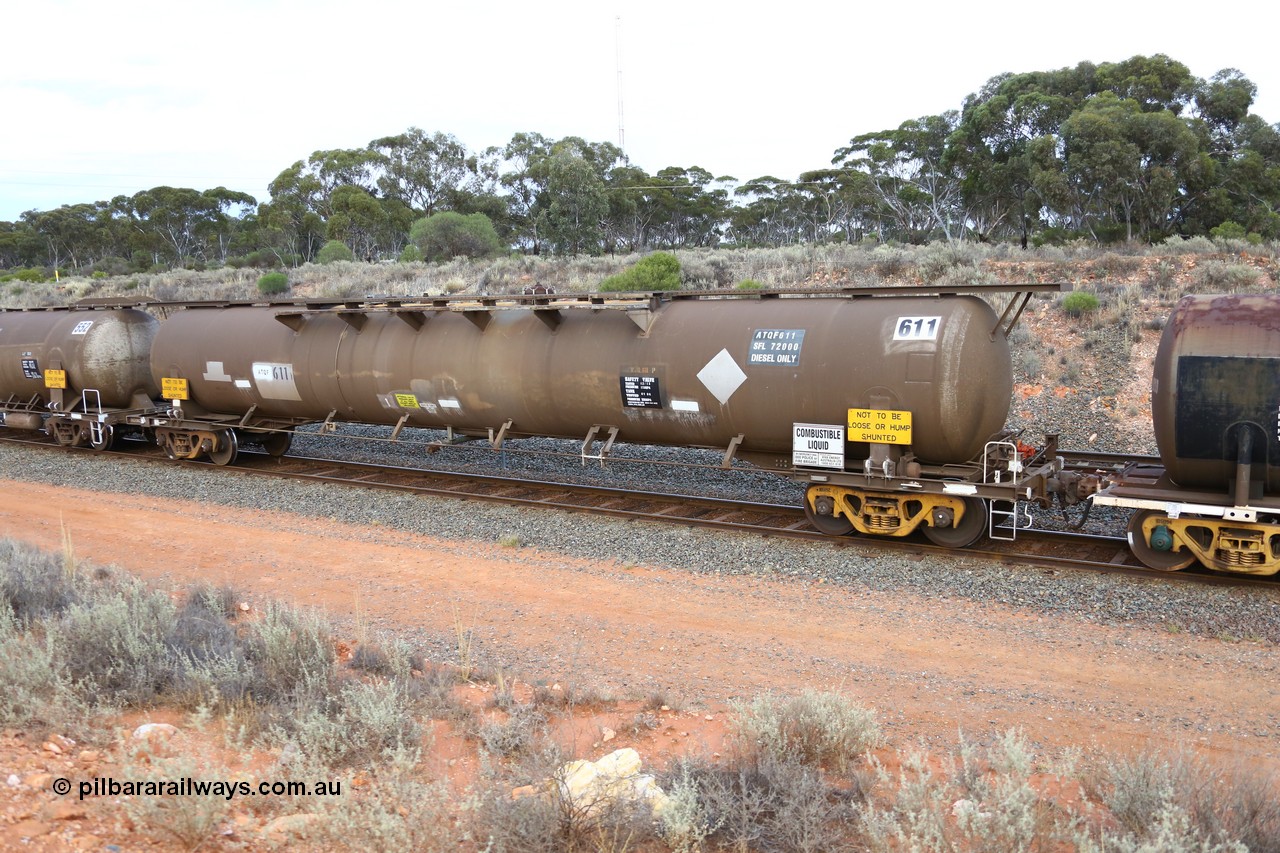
1215 391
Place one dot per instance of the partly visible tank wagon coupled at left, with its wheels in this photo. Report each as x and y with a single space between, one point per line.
76 373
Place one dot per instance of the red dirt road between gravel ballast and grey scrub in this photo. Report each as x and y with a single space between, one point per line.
931 668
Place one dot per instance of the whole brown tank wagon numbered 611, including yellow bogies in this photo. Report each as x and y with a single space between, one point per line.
885 405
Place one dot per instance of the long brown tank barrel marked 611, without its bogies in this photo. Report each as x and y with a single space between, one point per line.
697 373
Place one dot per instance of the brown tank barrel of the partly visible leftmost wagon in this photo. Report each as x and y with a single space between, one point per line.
102 350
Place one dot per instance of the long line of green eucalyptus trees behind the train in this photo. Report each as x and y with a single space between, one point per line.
1139 150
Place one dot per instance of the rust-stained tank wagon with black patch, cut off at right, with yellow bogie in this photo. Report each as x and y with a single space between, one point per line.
1215 396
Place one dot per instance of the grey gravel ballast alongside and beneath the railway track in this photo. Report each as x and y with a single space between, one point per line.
1174 606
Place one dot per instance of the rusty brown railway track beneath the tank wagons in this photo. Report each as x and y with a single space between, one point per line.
1045 549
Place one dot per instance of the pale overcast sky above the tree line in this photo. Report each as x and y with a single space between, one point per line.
104 99
